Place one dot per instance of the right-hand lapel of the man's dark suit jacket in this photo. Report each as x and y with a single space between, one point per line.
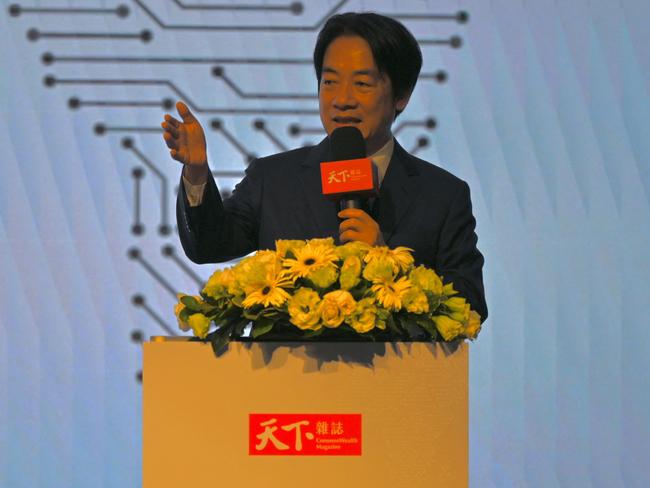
398 190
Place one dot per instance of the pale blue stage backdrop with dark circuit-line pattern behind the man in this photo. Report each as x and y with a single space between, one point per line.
542 107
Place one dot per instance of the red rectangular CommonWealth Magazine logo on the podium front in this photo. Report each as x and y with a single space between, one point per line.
279 434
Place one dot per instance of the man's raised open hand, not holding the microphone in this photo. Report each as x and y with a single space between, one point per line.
186 141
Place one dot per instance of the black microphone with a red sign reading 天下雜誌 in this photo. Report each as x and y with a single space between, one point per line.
350 178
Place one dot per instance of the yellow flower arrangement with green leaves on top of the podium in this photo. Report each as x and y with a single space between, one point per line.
314 289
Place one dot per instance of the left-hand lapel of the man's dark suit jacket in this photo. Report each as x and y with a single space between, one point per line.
323 212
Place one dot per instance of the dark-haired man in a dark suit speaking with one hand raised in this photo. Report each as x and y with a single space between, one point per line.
367 66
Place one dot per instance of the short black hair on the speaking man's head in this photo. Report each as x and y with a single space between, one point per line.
395 50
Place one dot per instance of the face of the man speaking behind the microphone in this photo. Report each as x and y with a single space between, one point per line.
354 92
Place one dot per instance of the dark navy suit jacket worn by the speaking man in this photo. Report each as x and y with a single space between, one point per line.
420 206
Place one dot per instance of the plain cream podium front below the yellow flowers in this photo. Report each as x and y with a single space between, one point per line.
412 400
